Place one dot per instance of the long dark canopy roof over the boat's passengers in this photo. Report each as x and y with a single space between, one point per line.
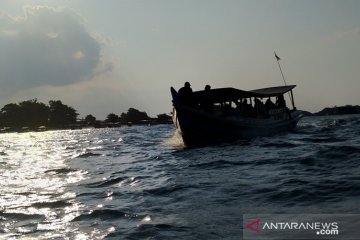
233 94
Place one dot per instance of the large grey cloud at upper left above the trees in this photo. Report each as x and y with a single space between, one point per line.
47 46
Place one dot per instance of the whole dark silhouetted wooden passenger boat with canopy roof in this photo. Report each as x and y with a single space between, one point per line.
234 114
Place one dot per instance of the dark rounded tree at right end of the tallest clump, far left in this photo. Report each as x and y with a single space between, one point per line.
61 115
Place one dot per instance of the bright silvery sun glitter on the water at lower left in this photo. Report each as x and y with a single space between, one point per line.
33 183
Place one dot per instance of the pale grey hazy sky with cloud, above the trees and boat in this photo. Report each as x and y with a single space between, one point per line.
105 56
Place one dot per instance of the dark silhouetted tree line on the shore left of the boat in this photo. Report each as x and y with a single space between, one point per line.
56 115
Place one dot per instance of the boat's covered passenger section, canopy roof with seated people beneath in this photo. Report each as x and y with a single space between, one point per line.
234 103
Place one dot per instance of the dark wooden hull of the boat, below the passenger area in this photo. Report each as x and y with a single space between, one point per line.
199 129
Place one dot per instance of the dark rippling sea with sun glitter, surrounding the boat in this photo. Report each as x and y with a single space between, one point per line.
139 182
